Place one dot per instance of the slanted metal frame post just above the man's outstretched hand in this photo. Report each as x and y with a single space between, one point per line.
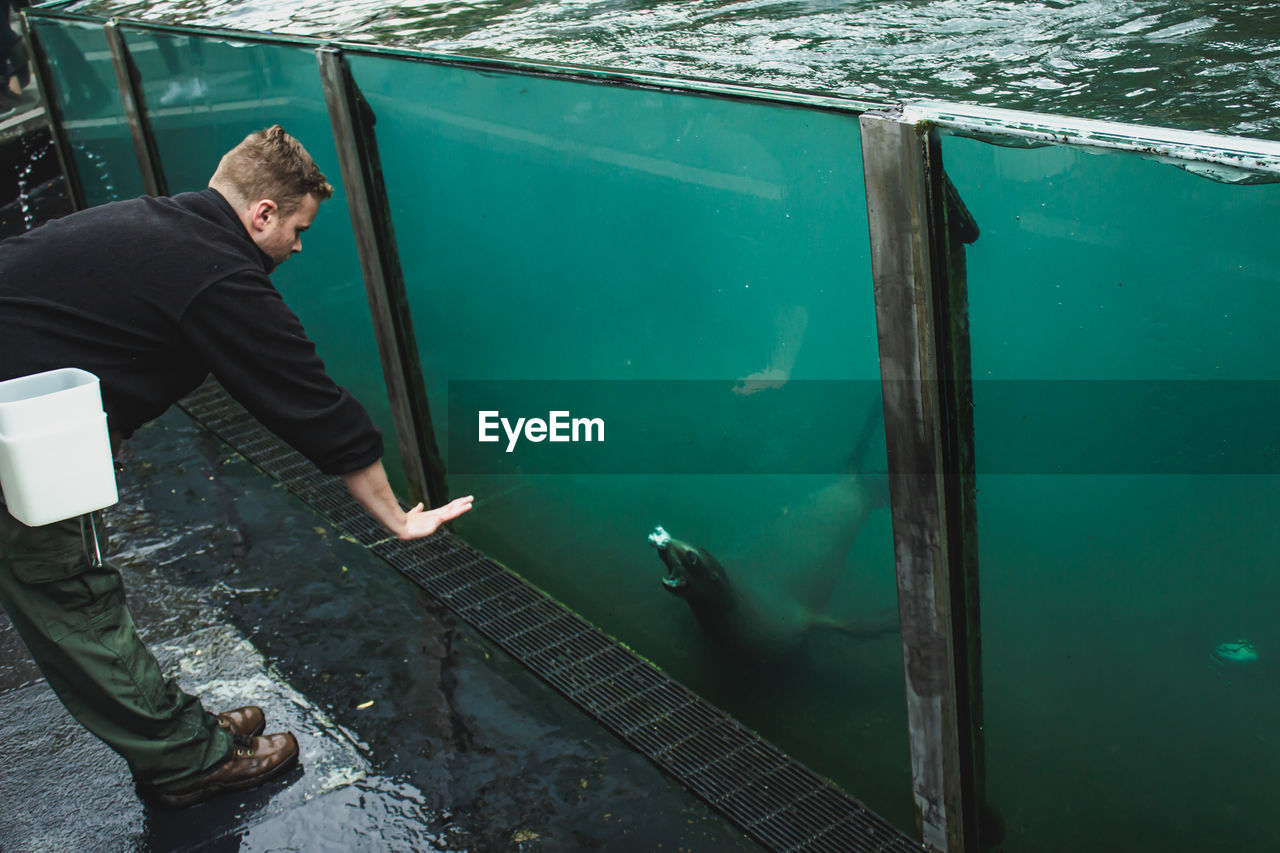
385 282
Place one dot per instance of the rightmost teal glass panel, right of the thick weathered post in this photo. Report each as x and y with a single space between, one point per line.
1124 346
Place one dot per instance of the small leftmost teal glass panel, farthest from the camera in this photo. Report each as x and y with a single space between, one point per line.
93 113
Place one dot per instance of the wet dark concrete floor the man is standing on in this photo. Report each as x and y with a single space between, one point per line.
417 735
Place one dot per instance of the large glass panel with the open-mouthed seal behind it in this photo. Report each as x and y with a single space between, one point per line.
564 231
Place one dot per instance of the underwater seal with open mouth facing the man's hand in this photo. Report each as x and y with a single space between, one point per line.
778 592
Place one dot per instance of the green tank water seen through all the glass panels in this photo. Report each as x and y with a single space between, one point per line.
560 230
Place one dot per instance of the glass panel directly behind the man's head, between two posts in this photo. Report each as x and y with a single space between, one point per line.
205 95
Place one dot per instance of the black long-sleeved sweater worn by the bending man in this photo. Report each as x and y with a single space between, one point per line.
152 297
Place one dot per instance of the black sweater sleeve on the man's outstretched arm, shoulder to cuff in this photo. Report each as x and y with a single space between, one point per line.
255 346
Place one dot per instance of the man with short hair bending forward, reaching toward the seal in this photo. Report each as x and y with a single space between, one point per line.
153 295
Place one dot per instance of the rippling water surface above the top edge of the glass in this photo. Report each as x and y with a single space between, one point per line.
1210 65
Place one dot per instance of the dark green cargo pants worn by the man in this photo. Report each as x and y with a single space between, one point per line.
74 618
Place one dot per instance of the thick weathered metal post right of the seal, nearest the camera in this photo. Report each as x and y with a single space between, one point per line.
917 234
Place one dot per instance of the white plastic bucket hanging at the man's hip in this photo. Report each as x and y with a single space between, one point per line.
56 453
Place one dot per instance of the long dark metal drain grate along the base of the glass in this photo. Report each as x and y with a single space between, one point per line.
775 800
